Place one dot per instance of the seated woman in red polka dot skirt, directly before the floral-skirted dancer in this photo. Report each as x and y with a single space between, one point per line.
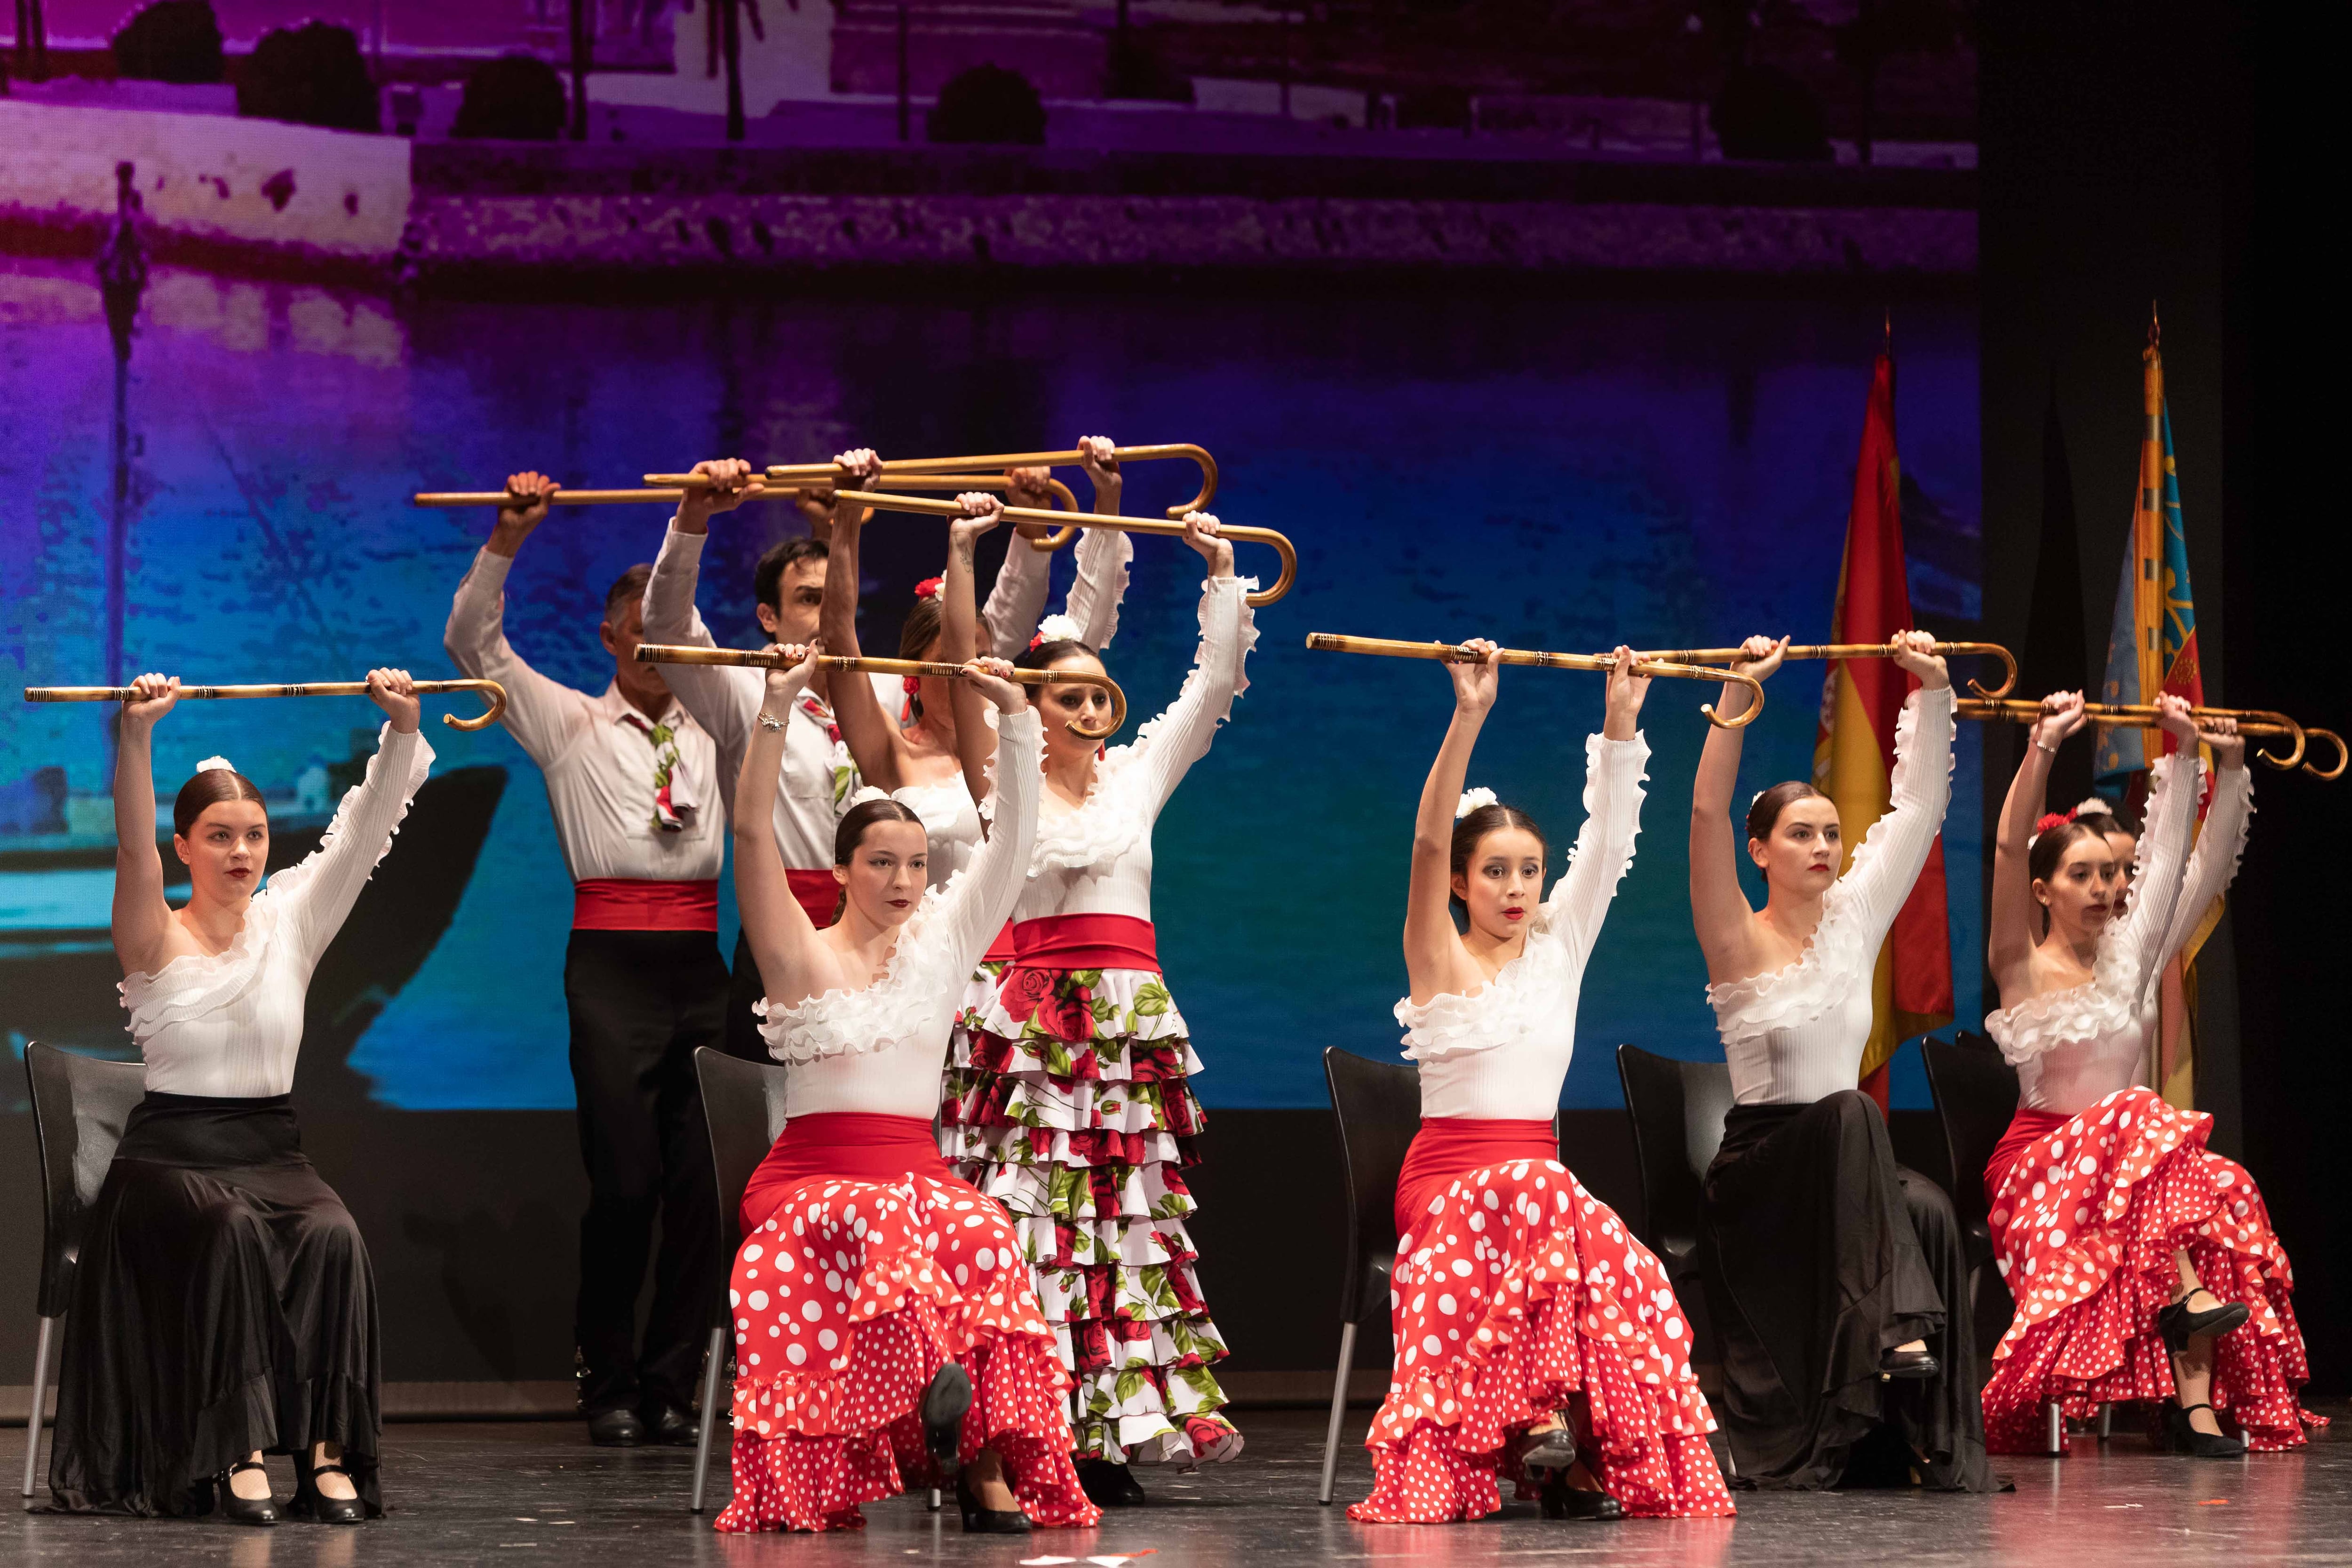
881 1308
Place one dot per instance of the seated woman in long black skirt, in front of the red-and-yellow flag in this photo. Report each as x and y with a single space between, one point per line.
1838 1266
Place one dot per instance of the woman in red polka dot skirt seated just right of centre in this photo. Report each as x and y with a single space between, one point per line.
1565 1355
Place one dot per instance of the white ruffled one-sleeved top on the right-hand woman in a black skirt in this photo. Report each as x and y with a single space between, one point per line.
1796 1036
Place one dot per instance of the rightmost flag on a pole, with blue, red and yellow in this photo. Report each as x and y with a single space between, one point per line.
2151 650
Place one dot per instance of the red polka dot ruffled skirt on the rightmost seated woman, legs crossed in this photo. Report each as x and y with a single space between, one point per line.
2085 1224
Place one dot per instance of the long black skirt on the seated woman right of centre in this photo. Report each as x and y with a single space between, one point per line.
1829 1257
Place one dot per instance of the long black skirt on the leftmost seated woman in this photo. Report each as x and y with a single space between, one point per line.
222 1304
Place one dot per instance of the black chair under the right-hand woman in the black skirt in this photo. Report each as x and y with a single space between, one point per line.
1678 1125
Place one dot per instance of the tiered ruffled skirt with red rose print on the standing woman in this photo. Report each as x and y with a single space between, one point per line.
1069 1104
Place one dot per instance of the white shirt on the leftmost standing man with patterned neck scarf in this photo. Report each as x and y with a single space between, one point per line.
596 753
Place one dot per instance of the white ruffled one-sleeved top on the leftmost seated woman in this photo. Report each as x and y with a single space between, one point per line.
229 1024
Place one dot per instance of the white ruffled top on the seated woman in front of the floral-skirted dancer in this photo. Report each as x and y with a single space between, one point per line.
883 1047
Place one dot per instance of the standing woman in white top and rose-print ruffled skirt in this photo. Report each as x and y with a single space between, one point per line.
1074 1106
